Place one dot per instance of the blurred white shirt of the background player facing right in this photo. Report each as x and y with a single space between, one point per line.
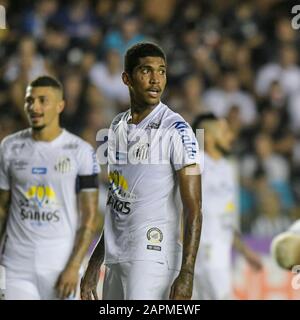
219 209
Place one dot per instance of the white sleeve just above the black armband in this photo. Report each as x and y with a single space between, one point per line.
87 161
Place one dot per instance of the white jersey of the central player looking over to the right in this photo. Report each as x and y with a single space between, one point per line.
142 219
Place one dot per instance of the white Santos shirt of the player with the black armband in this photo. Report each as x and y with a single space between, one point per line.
43 215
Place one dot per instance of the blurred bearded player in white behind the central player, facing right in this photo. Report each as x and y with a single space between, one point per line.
219 204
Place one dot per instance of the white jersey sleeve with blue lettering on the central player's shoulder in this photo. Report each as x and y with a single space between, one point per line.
184 149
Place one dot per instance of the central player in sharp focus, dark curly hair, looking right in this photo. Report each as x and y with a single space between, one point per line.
144 257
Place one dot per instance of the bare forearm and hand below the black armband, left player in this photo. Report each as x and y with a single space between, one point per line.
68 279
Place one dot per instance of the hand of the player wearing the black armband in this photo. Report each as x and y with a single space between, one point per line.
67 282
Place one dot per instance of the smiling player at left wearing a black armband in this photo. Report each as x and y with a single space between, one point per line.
48 200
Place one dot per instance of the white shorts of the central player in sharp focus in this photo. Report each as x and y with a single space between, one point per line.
138 280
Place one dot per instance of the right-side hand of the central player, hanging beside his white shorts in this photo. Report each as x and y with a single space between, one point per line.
182 287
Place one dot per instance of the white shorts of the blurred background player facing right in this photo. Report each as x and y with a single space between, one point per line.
212 284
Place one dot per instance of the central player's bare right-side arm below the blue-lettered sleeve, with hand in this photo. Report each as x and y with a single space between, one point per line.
190 190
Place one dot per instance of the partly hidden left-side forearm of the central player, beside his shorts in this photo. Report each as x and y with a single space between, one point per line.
88 286
